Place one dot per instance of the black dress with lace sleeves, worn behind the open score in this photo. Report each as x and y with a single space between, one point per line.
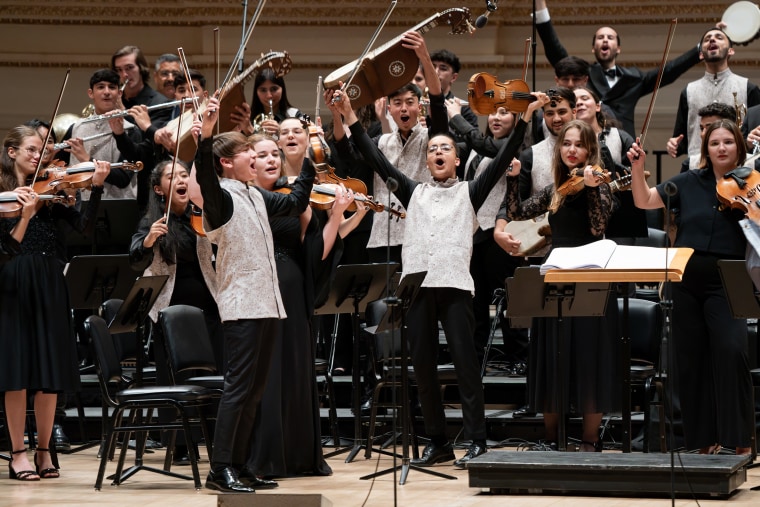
590 344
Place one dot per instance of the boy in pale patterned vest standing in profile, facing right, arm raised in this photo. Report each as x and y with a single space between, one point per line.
236 219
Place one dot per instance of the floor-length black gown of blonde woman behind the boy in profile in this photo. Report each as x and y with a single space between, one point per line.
287 440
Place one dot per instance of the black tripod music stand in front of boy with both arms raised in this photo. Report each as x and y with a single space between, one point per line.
394 319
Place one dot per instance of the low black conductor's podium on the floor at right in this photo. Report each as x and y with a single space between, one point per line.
617 474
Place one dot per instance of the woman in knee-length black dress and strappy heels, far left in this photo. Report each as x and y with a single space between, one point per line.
36 331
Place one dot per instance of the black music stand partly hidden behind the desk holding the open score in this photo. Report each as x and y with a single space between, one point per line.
530 296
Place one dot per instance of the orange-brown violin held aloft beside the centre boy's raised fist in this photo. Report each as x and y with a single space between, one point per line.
485 94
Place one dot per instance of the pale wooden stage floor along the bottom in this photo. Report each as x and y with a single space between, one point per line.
343 488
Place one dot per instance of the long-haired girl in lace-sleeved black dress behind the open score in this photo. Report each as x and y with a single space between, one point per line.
589 343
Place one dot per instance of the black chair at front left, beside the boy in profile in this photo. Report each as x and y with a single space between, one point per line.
187 401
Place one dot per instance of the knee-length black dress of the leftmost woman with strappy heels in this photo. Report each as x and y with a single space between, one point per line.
39 350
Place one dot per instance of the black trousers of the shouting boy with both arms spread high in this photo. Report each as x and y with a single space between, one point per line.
453 307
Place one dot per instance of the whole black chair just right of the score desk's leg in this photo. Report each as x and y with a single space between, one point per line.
645 330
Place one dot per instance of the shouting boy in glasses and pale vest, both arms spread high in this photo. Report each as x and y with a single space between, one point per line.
441 219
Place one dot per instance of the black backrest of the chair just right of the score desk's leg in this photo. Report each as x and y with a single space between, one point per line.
645 329
